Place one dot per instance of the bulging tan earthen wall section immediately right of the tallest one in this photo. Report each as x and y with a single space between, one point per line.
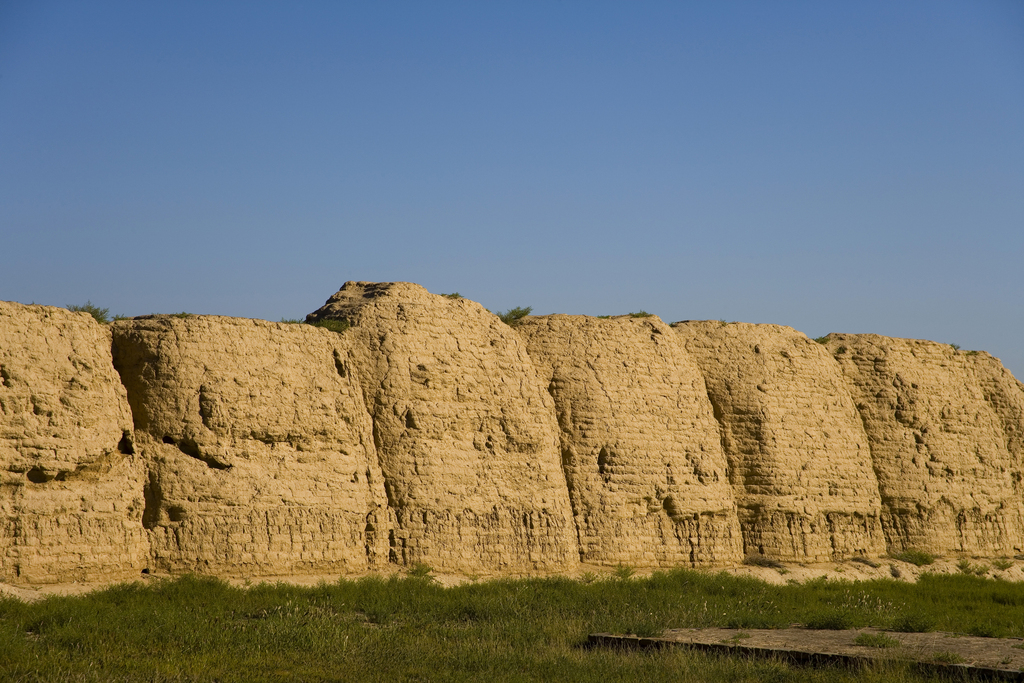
639 445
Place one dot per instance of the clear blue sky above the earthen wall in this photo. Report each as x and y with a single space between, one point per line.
833 166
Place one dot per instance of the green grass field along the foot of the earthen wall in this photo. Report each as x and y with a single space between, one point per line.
412 629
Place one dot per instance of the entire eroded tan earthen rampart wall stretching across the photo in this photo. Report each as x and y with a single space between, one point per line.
432 433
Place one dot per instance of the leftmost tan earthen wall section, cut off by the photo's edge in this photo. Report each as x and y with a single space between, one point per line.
70 479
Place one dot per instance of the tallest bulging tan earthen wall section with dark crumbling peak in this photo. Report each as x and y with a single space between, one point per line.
464 430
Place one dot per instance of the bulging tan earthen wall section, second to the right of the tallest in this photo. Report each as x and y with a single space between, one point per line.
798 455
